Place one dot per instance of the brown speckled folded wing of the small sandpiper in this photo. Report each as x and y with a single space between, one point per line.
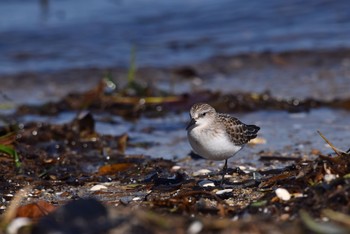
239 132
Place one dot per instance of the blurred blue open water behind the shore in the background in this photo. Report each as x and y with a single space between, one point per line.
51 35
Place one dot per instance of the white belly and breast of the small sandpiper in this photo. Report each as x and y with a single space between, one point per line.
212 146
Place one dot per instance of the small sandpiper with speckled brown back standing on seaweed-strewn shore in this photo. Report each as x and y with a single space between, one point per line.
217 136
